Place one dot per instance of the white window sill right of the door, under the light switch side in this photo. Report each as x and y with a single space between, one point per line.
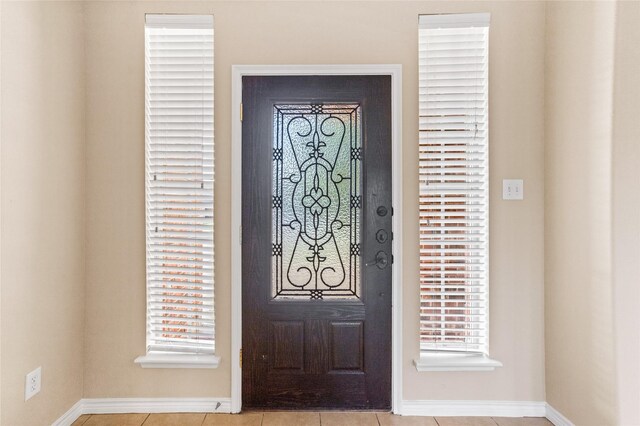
455 362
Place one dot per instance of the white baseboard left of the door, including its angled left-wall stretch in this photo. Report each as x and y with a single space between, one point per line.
144 405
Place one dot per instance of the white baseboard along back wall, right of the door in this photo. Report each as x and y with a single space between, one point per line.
473 408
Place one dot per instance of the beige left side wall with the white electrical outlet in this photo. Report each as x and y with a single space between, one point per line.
42 174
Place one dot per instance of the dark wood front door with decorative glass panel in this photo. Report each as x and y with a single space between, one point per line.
316 242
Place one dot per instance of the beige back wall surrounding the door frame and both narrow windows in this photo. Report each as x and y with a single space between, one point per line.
308 33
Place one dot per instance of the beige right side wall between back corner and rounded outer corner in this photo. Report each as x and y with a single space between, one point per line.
580 357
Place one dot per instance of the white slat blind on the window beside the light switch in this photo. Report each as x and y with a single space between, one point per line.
454 178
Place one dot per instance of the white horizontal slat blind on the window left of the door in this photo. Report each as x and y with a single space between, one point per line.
179 183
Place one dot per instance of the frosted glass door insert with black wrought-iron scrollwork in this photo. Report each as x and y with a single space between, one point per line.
317 158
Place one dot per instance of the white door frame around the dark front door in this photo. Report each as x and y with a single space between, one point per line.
239 71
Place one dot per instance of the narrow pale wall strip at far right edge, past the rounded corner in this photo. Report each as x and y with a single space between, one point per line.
626 210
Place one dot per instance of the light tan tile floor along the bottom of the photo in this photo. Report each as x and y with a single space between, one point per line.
298 418
